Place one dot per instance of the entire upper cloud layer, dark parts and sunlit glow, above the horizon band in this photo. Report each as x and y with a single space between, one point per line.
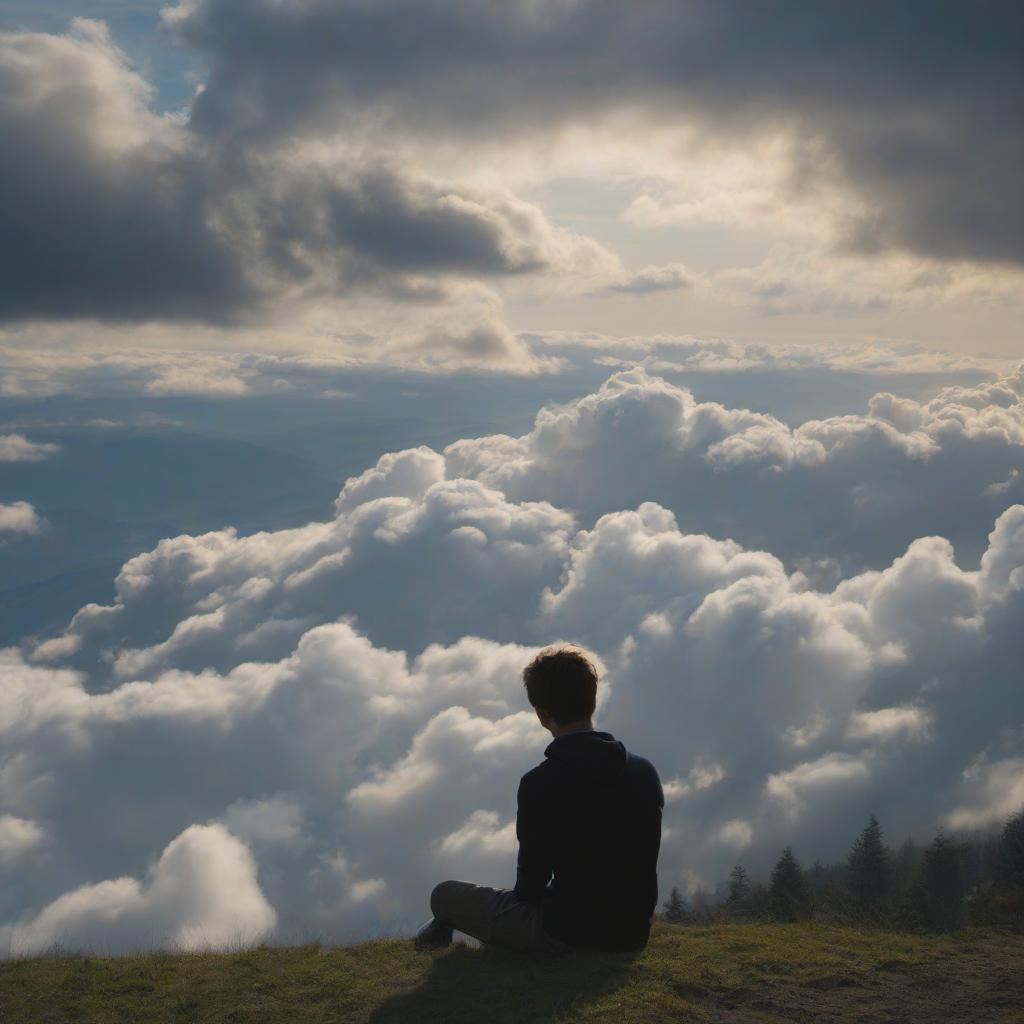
371 166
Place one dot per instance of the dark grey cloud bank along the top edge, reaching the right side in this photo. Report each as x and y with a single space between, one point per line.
919 106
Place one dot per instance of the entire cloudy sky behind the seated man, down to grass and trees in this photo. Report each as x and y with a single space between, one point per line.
353 352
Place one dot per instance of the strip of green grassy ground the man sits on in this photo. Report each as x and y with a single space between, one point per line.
720 973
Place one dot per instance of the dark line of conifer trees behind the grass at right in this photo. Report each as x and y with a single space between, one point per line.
954 882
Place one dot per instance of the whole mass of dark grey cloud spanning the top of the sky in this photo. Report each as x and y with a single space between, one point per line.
113 212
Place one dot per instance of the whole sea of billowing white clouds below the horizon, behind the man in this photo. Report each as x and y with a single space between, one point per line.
297 734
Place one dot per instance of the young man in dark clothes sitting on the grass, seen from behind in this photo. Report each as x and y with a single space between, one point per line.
589 825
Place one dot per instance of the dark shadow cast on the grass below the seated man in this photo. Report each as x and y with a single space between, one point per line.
495 987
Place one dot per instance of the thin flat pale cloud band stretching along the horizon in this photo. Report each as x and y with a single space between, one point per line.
36 362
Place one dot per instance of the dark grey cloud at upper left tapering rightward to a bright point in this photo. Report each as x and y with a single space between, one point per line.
114 214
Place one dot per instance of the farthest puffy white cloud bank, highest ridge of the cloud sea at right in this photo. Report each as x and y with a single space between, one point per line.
868 485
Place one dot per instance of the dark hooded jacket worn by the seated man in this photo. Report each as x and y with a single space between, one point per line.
589 826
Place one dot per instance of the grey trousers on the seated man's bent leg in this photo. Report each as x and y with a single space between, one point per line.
494 916
